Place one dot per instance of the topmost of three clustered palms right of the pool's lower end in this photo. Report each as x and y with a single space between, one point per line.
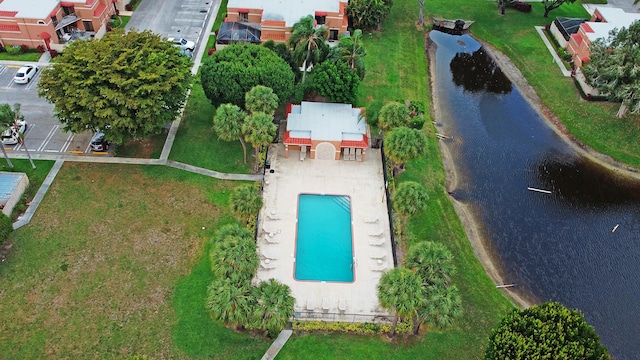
433 262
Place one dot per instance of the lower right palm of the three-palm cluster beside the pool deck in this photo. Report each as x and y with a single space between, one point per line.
442 306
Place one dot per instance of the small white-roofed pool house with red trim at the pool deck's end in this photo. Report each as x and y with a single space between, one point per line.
327 131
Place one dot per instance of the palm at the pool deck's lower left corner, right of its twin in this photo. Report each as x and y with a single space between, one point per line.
274 306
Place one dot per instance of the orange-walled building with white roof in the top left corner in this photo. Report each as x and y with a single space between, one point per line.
52 22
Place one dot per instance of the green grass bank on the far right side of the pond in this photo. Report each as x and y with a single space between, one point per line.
592 123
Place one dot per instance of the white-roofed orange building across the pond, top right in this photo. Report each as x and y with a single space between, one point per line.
603 20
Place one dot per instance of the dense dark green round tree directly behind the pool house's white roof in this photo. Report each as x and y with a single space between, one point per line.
336 82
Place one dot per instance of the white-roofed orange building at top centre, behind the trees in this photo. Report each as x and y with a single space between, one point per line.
277 17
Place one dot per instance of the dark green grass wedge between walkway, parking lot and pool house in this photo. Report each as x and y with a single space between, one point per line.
198 145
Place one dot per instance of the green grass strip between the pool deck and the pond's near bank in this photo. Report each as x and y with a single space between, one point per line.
397 70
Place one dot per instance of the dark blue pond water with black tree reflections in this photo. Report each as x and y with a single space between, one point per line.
557 246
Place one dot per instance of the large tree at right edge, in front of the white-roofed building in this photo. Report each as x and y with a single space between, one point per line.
612 67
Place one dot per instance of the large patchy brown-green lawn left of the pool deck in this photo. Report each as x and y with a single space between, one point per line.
112 265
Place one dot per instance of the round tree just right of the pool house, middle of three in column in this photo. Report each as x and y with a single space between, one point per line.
403 144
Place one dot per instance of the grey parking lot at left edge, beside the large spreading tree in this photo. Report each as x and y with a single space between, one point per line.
44 133
